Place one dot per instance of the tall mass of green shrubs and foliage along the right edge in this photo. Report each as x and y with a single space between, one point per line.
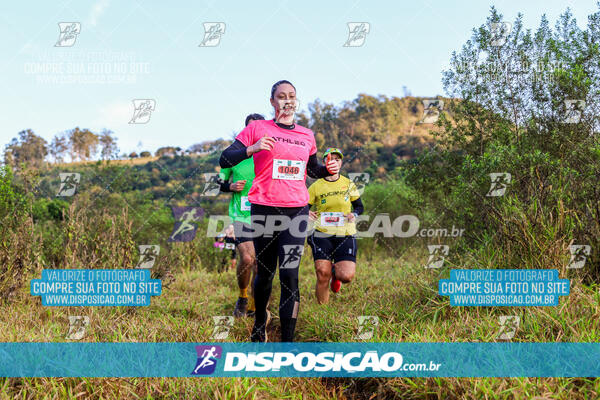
509 115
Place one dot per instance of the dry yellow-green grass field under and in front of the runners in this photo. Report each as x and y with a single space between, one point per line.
401 293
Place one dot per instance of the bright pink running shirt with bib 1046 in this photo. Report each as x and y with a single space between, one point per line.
280 173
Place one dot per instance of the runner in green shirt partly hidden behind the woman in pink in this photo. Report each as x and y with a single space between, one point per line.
241 177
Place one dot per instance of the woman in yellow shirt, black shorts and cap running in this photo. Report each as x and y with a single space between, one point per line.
336 202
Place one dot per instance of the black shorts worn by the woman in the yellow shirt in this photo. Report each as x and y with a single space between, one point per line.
332 248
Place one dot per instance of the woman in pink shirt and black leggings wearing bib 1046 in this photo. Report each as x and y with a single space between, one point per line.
284 153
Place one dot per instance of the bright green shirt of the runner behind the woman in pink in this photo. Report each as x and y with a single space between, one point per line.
239 211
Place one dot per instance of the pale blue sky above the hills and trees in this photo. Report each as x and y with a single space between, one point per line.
134 50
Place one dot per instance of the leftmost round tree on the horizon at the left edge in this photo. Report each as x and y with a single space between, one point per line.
27 148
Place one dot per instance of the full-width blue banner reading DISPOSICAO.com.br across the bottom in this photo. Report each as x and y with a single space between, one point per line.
299 359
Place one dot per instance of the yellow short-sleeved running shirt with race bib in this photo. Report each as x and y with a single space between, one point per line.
332 200
